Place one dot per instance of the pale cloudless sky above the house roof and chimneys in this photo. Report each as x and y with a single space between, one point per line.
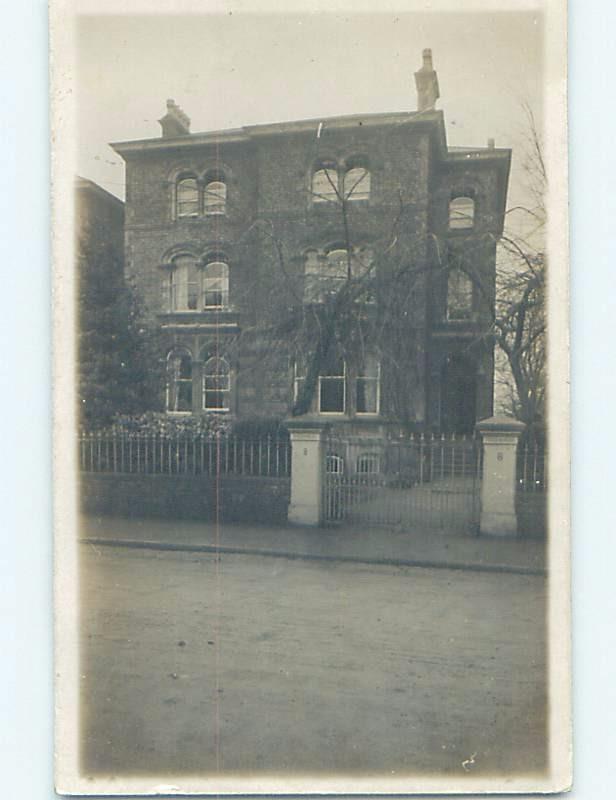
234 69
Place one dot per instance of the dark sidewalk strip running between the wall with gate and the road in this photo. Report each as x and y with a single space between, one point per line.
369 545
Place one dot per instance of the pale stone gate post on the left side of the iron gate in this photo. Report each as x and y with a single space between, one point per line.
307 466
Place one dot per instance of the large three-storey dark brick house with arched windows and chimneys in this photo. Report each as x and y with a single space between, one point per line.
227 231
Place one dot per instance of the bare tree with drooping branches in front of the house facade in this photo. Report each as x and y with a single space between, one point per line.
357 300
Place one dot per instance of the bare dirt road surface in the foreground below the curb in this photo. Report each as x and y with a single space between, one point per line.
196 665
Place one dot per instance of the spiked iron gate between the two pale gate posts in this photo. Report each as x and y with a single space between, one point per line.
418 481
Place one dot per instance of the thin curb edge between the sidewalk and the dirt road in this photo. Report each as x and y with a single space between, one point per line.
139 544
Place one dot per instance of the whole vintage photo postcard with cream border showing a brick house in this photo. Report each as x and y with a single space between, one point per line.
311 397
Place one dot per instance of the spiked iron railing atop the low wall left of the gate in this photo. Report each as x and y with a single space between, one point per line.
184 454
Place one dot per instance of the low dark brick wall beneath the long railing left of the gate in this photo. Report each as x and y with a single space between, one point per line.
239 499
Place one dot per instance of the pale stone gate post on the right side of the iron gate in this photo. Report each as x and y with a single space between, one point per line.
498 487
